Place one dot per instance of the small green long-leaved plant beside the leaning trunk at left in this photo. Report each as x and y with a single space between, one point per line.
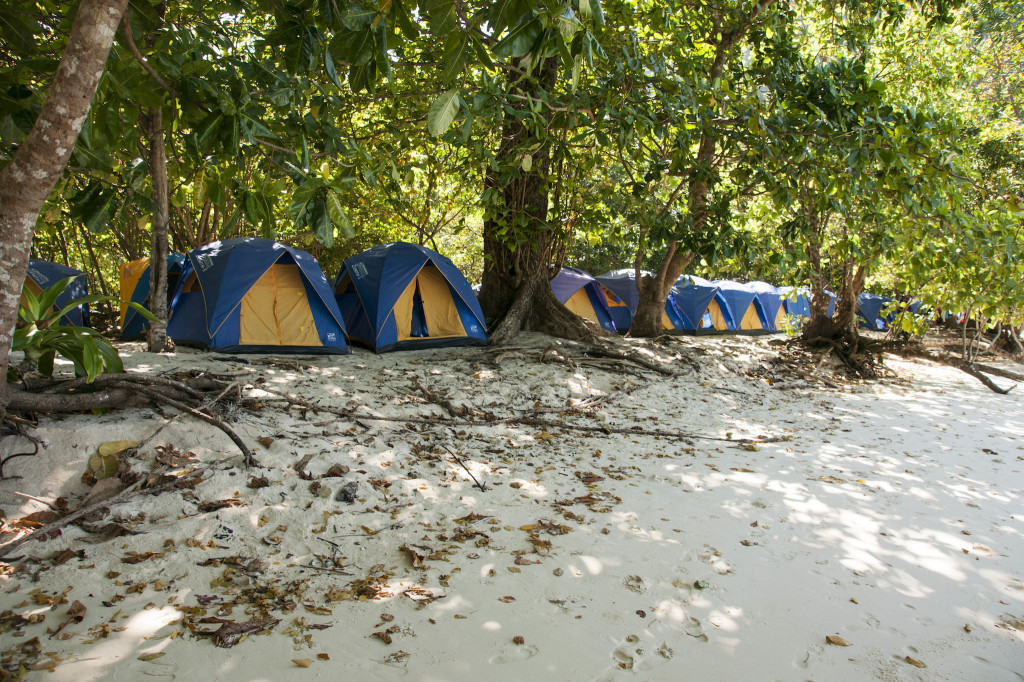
38 335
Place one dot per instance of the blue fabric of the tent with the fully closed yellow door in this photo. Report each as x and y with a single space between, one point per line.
208 314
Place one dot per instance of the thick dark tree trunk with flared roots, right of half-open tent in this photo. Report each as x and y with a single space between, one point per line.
520 247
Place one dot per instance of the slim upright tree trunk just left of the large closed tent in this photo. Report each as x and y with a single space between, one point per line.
159 243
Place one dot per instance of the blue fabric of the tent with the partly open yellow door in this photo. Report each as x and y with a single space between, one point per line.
370 284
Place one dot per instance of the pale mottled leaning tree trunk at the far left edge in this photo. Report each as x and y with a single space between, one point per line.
35 168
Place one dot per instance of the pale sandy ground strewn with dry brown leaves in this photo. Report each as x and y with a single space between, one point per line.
888 517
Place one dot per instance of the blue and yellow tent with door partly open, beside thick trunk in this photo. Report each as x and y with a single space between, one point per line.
402 296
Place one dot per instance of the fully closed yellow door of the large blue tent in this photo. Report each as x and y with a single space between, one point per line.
276 313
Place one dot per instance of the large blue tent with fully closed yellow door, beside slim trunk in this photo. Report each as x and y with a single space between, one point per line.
255 295
